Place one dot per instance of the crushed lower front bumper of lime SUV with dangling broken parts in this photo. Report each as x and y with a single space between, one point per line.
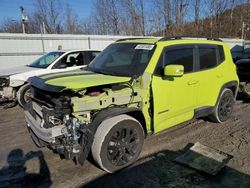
61 138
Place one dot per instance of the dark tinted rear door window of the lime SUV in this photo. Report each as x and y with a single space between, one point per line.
208 58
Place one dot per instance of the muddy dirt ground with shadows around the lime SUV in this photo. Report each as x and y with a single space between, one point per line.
24 165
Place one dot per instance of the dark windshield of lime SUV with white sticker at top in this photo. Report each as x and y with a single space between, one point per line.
123 59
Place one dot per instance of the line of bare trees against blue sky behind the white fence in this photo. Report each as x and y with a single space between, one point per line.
221 18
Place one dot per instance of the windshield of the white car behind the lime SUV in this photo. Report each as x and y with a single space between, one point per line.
46 60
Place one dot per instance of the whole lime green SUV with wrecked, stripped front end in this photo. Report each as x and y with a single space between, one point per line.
134 88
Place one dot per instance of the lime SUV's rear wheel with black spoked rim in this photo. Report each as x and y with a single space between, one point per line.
224 107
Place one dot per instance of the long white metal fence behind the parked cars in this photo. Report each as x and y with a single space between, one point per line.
21 49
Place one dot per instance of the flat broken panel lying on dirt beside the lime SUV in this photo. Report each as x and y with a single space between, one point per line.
204 159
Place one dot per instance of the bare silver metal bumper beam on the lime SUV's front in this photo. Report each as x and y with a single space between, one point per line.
34 122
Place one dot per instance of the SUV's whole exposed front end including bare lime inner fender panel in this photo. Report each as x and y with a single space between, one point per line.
66 121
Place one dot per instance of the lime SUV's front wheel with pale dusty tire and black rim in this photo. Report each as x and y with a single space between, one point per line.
117 143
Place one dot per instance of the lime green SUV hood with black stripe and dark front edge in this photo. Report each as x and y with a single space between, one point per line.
74 80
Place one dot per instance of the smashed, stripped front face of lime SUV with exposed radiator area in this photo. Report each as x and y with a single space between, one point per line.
51 124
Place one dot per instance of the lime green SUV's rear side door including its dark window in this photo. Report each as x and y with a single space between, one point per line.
209 59
